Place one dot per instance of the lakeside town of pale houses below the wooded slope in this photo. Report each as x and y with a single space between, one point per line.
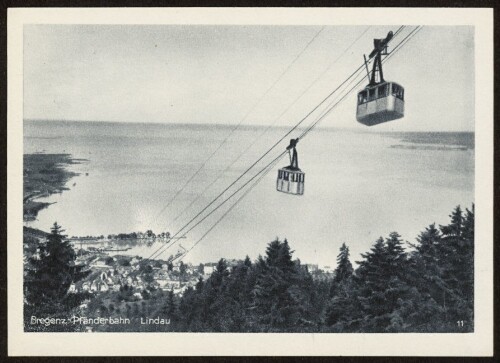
120 285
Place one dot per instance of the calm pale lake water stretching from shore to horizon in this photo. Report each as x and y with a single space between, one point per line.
359 185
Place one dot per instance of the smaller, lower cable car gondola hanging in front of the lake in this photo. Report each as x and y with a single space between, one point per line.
290 178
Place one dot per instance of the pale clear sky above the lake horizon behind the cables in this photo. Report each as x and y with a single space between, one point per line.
257 75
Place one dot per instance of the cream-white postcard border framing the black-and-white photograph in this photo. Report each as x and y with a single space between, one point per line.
479 343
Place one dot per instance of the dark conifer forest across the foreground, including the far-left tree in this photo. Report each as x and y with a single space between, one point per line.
396 286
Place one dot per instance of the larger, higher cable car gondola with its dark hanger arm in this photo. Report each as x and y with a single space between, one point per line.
380 101
